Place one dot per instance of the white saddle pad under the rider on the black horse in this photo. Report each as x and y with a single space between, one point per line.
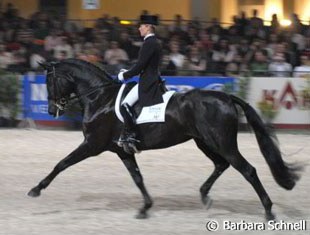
154 113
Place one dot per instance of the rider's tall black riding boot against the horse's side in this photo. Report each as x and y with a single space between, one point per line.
128 137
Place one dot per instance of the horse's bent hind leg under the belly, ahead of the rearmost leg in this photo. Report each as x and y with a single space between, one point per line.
220 166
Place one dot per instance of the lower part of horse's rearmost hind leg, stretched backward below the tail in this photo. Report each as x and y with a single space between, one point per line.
249 172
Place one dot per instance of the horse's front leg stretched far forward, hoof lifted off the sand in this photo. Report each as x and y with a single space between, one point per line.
79 154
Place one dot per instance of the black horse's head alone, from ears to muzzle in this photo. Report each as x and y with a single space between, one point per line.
59 85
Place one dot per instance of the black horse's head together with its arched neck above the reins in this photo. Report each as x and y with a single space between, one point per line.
74 76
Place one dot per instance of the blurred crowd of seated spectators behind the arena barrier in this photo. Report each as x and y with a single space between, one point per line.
190 47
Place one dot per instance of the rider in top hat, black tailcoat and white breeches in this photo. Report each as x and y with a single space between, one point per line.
148 89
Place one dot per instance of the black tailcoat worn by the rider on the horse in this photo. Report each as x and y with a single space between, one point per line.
148 68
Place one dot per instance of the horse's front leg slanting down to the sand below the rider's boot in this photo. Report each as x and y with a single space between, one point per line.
132 166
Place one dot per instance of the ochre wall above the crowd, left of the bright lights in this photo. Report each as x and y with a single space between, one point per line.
112 7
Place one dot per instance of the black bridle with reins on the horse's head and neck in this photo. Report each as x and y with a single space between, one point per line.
61 102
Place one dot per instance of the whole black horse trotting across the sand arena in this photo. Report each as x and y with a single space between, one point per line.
208 117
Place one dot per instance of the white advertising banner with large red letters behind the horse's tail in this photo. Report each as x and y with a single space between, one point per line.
288 97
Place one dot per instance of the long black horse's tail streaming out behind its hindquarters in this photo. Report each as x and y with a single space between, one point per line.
285 174
